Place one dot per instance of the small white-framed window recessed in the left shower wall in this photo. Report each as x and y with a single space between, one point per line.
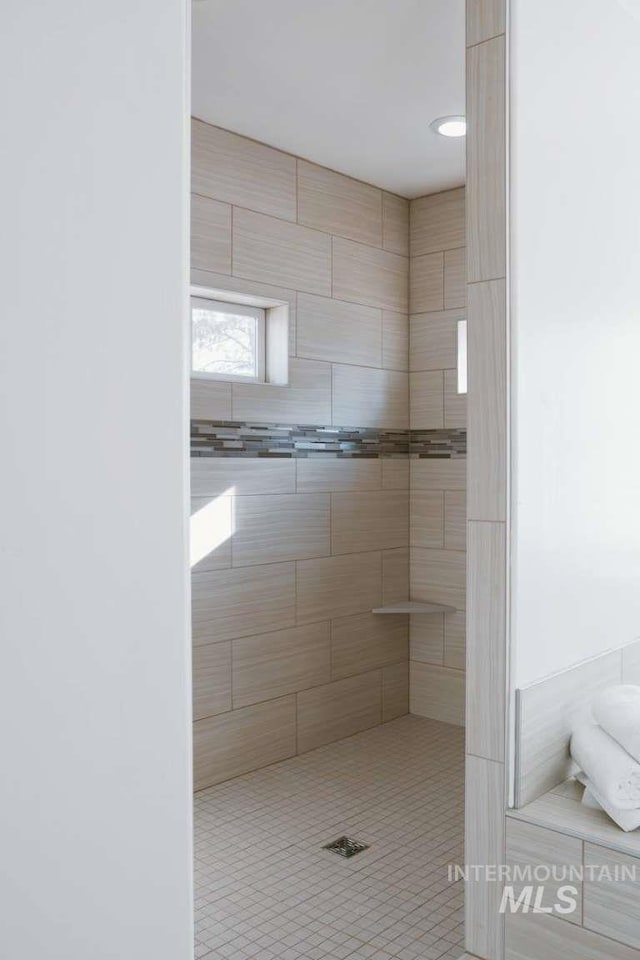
227 340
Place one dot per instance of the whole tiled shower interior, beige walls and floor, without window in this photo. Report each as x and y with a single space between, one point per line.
339 493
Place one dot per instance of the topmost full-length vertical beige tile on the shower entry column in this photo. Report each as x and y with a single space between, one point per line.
486 161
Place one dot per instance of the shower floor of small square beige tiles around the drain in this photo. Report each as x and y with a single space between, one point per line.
266 888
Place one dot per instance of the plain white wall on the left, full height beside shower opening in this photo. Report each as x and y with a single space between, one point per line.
95 822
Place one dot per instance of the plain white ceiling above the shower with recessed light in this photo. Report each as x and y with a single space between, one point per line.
350 84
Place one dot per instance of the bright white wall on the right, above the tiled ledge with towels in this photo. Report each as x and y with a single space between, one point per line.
575 221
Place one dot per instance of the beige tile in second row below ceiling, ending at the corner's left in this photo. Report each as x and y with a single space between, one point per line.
366 275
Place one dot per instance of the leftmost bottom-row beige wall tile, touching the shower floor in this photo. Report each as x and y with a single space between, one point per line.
234 743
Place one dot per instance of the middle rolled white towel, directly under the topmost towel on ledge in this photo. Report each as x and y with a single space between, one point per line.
614 774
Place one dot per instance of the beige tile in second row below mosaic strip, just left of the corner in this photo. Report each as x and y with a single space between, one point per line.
369 521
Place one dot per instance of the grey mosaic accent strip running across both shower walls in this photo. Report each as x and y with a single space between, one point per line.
226 438
